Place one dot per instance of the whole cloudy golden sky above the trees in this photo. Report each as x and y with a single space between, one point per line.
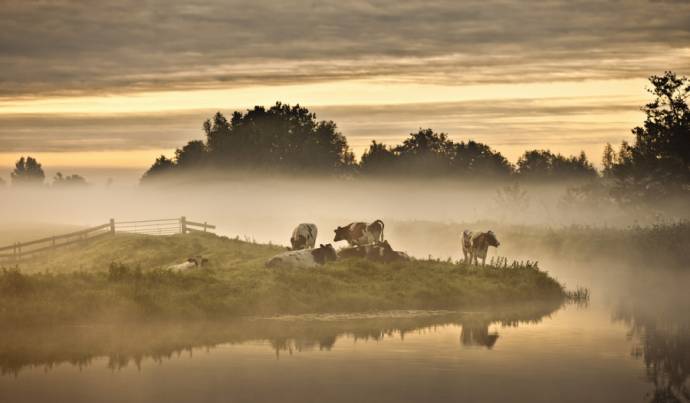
92 85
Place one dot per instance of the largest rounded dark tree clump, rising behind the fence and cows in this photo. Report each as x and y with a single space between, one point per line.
282 138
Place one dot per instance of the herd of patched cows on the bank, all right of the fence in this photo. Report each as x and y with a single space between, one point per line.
366 241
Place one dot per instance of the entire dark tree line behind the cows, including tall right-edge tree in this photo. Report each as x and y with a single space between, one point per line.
289 139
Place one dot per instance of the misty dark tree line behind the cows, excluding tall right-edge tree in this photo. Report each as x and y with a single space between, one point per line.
289 139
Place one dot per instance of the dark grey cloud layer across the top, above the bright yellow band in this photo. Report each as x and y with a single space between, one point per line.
89 46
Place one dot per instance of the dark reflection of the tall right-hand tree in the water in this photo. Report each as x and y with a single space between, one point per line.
663 337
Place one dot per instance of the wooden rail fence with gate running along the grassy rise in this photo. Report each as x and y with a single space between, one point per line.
23 250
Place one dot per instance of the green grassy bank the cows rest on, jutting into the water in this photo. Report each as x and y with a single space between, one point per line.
124 277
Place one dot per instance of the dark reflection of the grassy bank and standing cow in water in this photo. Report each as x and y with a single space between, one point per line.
122 345
